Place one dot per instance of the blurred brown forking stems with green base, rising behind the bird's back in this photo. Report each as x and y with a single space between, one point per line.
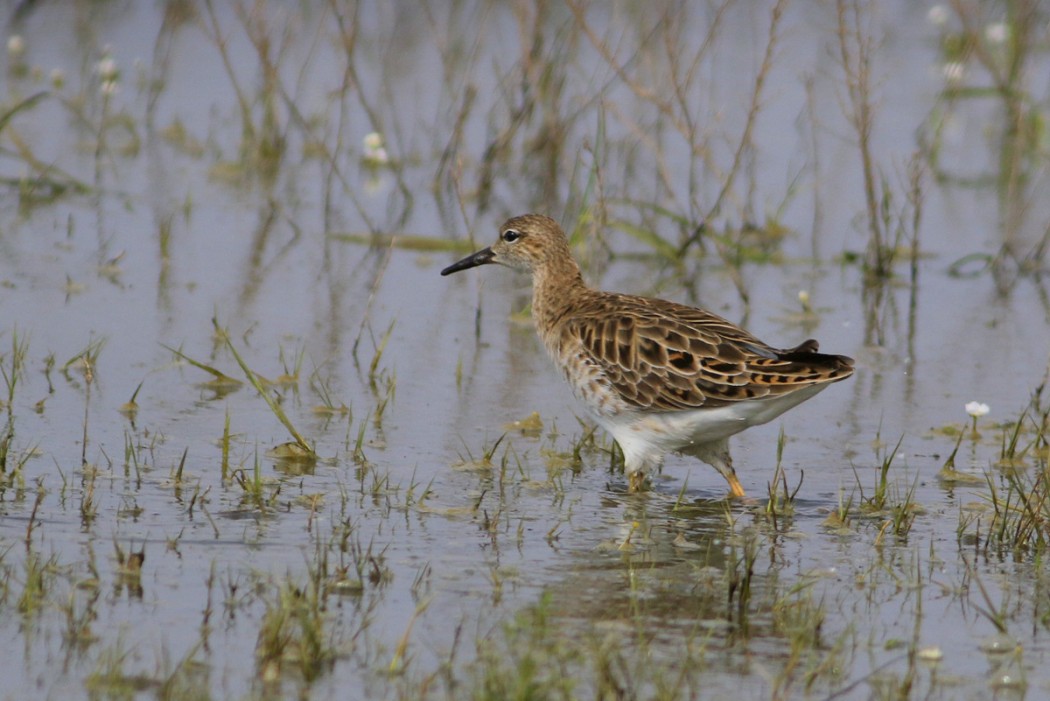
671 224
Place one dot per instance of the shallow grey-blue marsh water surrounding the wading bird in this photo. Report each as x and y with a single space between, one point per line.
442 575
